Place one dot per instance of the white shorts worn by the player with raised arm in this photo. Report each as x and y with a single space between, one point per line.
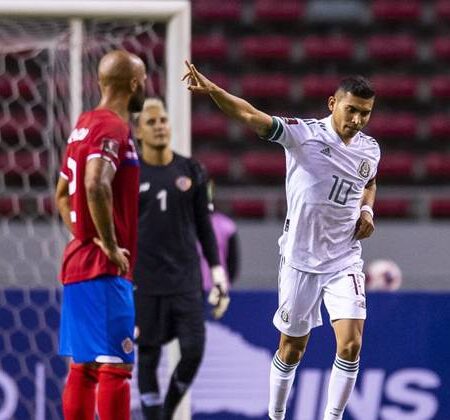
300 296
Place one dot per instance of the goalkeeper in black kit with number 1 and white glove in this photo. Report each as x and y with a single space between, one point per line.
173 216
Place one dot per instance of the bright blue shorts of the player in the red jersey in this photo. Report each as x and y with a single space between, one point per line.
97 321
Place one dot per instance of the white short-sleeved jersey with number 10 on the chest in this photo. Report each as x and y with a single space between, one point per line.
325 182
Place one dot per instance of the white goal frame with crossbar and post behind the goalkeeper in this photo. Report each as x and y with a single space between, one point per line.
177 15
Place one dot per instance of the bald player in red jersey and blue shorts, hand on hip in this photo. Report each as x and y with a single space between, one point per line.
97 197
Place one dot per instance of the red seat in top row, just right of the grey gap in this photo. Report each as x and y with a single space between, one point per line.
396 11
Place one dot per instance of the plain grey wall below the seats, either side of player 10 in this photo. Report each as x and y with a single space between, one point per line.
420 249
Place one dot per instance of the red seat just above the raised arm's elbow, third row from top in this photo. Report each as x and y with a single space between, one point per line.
265 86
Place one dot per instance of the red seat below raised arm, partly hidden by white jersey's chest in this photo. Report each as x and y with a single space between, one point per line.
266 165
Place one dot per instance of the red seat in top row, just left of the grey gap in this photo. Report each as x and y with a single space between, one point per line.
281 11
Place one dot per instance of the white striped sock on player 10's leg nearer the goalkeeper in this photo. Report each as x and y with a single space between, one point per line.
281 379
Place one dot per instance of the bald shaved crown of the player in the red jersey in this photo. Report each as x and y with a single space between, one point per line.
118 68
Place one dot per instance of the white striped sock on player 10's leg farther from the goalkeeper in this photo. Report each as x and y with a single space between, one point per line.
342 381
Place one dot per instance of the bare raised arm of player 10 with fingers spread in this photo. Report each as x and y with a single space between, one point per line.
233 106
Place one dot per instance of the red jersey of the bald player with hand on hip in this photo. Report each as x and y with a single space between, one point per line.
100 134
